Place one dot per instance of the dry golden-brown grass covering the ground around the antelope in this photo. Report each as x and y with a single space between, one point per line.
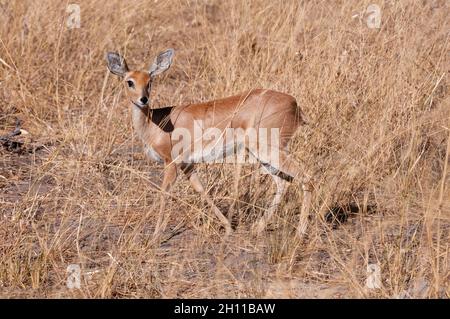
79 191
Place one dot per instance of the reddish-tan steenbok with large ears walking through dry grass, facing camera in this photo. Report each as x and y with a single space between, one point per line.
246 120
